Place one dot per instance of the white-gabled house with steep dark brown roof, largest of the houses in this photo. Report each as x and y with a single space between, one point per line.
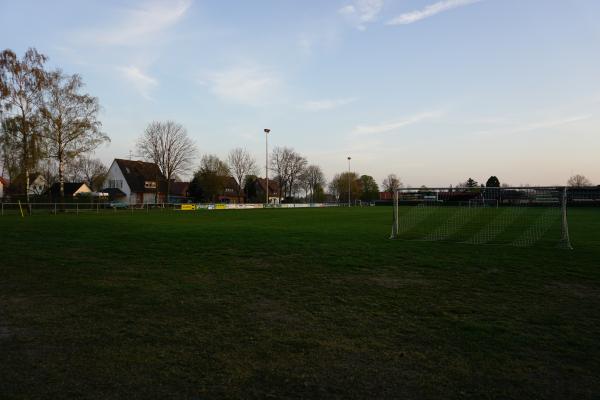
135 182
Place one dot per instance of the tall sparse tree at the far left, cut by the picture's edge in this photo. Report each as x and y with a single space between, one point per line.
21 86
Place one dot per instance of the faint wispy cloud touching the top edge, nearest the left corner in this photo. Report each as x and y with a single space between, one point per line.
142 23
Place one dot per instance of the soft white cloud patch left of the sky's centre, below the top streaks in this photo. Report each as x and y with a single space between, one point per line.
248 85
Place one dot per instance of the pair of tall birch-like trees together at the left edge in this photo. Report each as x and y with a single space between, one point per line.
46 116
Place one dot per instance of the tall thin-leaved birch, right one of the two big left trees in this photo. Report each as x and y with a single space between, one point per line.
71 121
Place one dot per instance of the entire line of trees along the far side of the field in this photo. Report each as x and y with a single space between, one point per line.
49 123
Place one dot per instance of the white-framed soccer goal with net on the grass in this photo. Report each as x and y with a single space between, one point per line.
518 216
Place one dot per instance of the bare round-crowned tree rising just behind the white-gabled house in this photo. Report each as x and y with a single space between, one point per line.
169 146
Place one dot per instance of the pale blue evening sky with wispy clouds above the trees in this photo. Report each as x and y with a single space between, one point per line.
433 91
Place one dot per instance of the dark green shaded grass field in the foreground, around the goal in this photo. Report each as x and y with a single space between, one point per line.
306 303
